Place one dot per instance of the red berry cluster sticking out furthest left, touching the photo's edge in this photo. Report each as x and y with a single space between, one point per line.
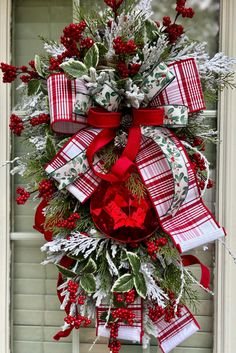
11 72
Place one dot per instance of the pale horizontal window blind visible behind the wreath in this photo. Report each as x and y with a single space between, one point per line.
35 307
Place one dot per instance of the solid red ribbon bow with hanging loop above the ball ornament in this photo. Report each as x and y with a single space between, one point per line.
109 121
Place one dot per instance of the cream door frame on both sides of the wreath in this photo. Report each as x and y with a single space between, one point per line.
225 270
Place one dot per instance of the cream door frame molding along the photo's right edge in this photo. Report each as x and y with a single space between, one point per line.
225 279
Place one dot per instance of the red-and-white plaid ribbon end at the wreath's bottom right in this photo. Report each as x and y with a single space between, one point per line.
170 335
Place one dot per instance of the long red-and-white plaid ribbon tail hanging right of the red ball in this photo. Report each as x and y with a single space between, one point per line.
193 225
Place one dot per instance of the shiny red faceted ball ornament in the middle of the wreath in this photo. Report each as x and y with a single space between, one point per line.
121 215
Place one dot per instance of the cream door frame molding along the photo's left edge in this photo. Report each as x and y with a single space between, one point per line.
5 18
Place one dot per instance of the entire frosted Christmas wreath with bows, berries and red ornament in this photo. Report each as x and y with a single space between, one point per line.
113 117
